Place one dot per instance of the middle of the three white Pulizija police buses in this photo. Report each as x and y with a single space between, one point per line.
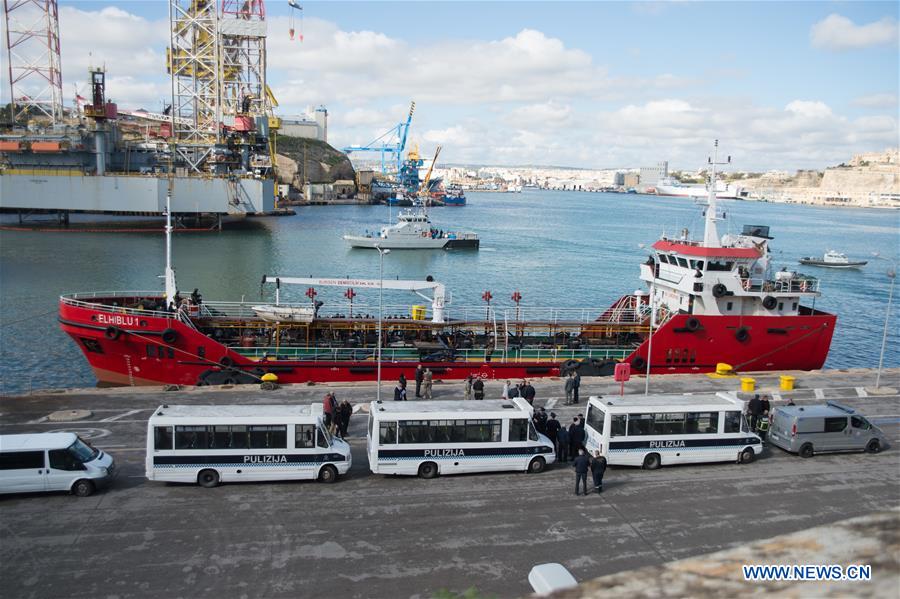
428 438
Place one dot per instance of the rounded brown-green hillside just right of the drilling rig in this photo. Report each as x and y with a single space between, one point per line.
324 164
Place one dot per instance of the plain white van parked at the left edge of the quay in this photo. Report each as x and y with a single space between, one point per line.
52 462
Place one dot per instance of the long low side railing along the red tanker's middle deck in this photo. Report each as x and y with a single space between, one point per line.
413 355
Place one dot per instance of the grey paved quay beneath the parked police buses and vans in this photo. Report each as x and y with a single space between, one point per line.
375 536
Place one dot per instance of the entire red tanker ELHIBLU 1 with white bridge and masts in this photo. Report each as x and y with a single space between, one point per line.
710 301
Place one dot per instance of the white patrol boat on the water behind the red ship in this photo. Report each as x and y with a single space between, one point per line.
414 231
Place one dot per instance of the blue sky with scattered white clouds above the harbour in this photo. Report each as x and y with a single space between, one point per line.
603 84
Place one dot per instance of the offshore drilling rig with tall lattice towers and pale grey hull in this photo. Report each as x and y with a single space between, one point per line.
210 149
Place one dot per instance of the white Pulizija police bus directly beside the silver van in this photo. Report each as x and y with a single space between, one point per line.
652 430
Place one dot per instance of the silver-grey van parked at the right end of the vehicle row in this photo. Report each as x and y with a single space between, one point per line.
806 430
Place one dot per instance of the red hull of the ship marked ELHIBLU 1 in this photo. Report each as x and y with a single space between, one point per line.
136 349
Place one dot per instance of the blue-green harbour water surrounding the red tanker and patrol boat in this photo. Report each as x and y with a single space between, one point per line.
562 249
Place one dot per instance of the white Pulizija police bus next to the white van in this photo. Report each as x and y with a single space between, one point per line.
212 444
